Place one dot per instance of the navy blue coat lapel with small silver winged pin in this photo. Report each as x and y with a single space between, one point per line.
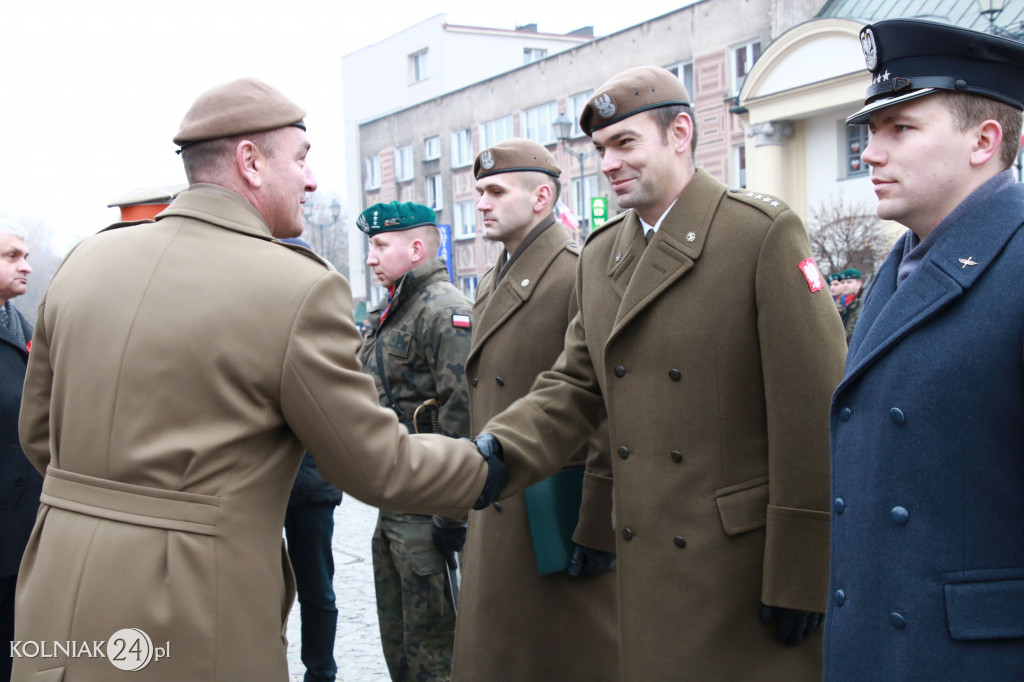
958 261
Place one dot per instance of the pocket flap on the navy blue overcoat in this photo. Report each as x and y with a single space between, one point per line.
991 610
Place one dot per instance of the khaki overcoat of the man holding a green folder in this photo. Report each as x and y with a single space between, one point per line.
515 624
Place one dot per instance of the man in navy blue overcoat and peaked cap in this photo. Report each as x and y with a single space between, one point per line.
928 424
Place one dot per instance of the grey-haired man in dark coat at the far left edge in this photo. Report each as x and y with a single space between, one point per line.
20 483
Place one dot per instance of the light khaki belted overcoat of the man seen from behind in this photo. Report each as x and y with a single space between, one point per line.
179 371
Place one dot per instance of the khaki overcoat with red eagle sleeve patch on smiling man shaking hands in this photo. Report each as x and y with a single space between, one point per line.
716 351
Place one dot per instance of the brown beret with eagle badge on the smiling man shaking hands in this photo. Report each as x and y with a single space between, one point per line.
630 93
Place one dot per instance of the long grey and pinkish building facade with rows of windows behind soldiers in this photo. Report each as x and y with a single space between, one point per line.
425 153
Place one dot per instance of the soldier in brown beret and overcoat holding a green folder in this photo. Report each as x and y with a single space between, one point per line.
560 626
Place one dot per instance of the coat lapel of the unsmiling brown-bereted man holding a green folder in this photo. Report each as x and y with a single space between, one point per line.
500 302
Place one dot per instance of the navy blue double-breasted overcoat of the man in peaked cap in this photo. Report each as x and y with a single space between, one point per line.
927 576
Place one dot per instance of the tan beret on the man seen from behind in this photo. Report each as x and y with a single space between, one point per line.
239 108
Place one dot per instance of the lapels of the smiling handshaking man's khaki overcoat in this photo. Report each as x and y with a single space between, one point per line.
647 273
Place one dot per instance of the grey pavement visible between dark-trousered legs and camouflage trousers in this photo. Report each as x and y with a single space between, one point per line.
358 647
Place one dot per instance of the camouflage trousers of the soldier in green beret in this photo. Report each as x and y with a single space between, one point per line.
414 607
